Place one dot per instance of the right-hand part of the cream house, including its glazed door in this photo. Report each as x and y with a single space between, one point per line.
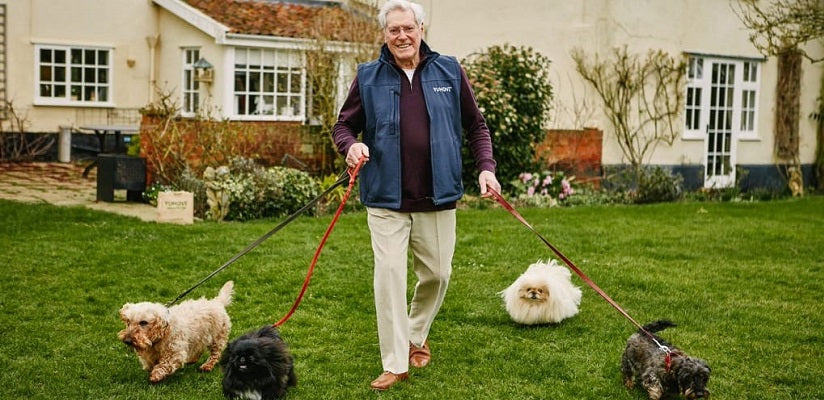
707 31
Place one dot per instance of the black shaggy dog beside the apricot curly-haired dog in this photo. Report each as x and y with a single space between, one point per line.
257 365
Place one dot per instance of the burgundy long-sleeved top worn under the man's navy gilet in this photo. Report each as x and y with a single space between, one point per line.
416 185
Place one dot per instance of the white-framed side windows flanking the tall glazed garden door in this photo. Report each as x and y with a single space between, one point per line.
698 79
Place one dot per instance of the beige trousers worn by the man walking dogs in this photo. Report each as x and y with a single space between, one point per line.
431 238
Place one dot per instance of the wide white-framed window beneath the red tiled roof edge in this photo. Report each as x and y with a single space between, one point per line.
268 85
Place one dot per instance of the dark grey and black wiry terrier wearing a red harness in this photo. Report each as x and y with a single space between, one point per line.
663 375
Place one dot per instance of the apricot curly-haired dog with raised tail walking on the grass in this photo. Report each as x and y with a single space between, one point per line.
167 338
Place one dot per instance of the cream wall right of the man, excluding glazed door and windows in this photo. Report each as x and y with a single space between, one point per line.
555 27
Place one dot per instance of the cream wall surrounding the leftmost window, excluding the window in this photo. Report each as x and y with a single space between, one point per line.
119 24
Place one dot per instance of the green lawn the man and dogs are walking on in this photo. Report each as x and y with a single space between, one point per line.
742 280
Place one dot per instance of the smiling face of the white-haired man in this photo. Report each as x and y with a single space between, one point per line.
403 37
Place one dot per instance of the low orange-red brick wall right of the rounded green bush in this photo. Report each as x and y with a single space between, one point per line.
576 152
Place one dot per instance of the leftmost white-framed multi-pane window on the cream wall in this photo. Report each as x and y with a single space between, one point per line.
68 77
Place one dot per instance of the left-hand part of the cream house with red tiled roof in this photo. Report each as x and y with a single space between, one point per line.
73 62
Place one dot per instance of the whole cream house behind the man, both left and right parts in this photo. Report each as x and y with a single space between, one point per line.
65 59
